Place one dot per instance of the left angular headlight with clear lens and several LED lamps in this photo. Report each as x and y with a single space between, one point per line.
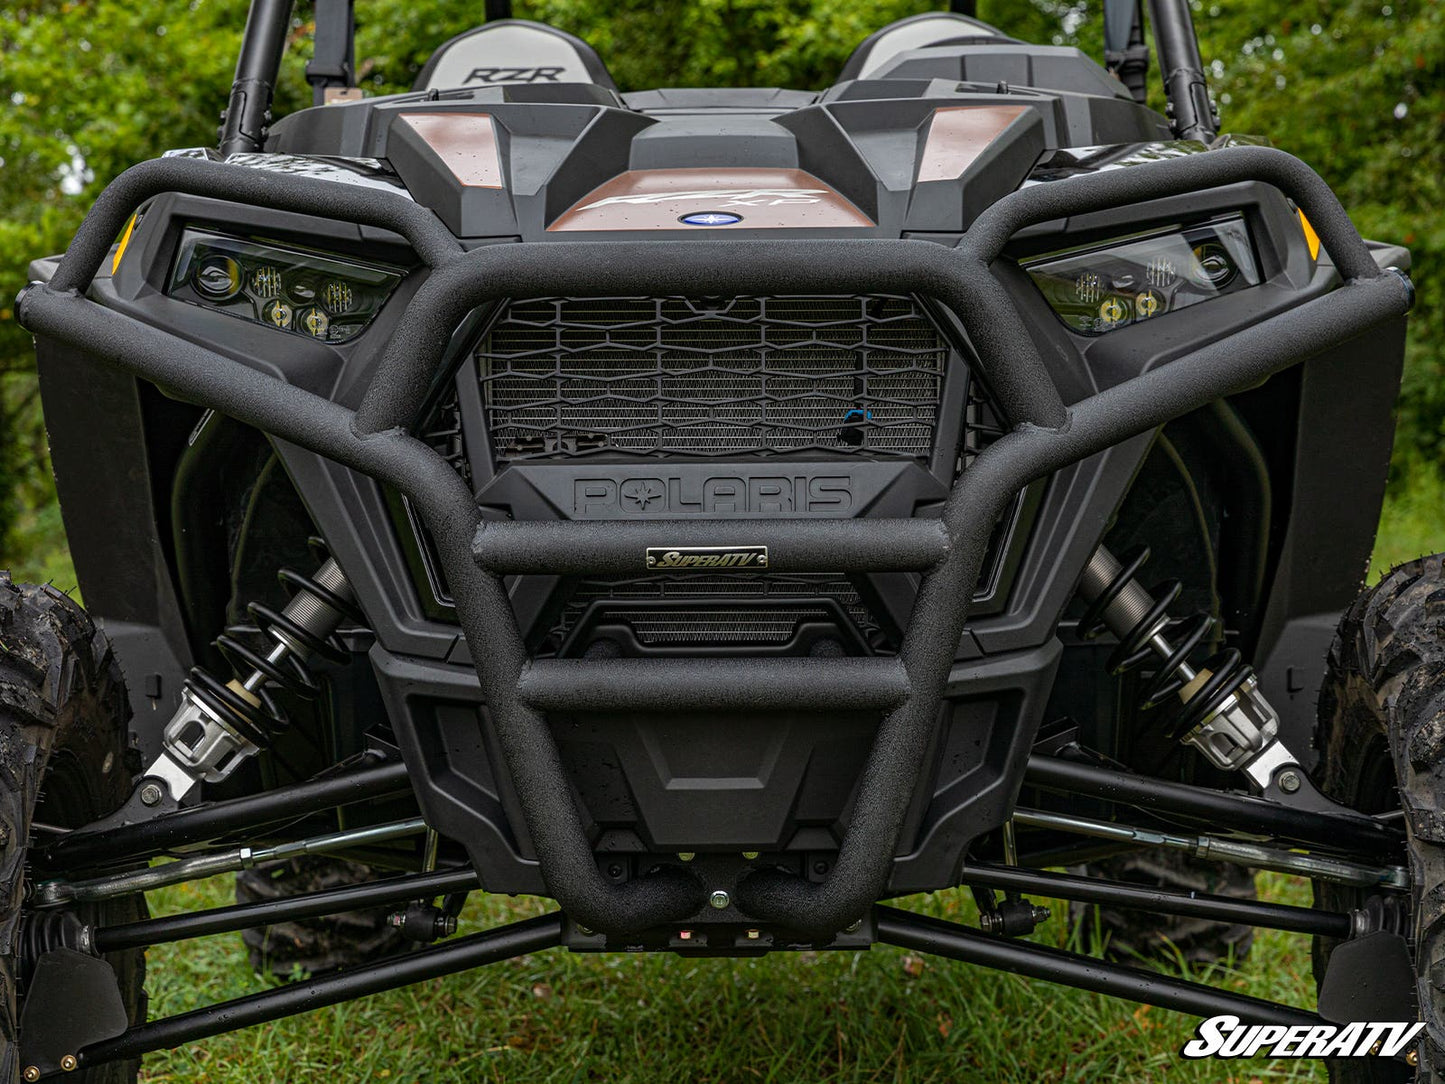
284 288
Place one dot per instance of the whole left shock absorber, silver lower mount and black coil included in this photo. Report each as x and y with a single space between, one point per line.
222 723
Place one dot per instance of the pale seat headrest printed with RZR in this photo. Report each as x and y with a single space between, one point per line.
514 51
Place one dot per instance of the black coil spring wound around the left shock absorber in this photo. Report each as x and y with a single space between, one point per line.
245 650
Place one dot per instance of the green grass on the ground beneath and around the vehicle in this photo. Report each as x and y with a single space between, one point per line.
829 1017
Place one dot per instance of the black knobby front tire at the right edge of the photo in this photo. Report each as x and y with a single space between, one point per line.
1382 748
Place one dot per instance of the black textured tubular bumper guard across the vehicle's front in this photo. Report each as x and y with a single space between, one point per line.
1045 437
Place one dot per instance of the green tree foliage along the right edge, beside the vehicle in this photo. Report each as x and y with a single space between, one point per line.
1358 89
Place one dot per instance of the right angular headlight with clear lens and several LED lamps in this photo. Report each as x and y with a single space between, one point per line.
1106 288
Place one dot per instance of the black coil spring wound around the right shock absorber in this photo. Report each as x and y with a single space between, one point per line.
1229 673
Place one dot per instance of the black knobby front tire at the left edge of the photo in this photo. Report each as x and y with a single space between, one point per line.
64 762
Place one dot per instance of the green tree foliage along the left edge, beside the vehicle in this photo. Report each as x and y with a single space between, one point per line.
92 89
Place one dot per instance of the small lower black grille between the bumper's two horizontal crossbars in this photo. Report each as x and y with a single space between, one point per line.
735 611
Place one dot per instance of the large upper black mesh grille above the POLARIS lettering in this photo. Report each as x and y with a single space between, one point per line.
671 377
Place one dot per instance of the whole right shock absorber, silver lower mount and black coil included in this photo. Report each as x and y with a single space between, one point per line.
1220 707
